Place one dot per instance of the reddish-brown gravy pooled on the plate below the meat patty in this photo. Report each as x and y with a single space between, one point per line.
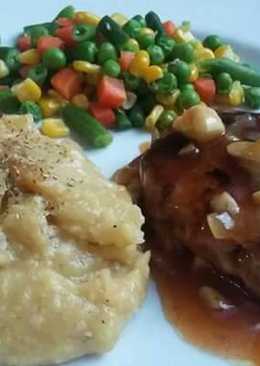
233 333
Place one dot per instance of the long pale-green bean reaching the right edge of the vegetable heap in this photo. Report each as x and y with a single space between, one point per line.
237 71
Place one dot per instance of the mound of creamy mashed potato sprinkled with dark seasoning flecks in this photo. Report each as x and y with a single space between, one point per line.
71 272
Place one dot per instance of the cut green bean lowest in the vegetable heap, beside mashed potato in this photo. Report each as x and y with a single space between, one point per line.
86 126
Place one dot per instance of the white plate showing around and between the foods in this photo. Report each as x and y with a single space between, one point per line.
148 339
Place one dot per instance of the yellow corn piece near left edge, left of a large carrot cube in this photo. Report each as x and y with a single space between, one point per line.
27 90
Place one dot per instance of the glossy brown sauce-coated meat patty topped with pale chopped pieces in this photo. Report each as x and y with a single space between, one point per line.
201 195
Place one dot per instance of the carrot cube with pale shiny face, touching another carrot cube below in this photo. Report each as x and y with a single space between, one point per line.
111 92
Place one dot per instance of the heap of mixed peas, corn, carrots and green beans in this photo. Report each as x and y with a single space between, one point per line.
88 74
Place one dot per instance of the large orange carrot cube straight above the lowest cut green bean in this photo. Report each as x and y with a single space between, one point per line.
67 82
